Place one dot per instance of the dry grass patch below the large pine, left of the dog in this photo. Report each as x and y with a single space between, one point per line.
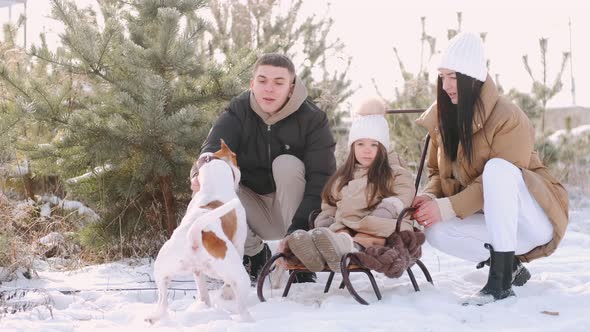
21 227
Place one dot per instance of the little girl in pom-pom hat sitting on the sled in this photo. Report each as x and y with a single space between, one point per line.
362 200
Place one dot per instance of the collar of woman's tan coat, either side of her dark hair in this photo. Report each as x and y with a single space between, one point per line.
489 97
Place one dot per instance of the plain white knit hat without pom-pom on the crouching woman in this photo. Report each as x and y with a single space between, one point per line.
465 55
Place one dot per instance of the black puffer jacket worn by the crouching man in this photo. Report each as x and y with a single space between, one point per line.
304 134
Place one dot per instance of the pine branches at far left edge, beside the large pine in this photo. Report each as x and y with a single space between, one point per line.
21 132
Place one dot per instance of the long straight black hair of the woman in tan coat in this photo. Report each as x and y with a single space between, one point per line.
456 121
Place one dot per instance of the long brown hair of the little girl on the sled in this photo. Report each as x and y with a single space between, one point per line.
379 178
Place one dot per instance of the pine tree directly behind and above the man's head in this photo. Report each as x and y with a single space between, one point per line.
242 31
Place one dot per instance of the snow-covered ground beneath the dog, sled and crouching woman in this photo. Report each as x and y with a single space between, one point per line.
557 298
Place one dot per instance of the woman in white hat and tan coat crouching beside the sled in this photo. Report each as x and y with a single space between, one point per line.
482 151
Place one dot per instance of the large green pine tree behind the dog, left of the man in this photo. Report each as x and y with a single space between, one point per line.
137 104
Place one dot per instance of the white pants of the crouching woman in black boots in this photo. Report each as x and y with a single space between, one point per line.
512 219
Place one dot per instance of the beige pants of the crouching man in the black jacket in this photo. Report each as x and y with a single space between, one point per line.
269 216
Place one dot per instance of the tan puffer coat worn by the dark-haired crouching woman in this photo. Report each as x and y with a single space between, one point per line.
500 130
